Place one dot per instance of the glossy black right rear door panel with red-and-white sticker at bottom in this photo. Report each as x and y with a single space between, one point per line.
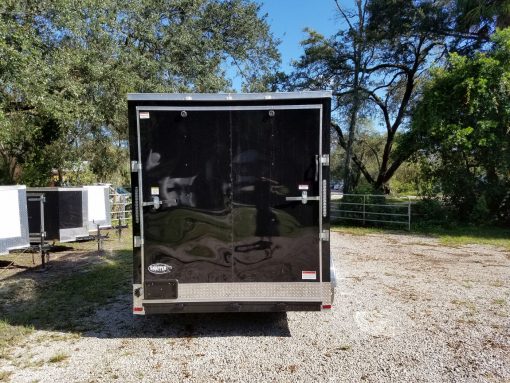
274 157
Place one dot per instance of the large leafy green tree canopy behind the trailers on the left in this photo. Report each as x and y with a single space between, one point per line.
66 67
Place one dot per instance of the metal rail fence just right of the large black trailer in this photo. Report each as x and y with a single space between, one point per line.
372 208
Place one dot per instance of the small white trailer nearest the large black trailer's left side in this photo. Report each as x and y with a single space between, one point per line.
98 205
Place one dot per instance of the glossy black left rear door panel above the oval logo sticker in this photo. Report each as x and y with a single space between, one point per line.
186 166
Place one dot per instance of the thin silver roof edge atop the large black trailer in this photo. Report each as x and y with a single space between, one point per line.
228 96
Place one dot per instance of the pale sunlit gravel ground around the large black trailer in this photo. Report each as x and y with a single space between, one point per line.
407 310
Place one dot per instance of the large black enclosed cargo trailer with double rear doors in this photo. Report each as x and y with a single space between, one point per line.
230 202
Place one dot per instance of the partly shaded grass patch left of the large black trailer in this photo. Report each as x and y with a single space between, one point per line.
64 300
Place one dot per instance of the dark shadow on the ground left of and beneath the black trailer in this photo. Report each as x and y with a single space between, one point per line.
90 293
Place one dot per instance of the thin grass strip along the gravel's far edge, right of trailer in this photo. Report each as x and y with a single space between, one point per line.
448 236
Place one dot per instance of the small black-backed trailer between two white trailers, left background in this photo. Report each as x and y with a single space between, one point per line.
65 213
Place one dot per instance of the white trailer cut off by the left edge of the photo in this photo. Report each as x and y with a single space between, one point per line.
13 219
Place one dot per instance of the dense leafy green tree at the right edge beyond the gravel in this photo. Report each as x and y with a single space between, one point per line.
462 123
